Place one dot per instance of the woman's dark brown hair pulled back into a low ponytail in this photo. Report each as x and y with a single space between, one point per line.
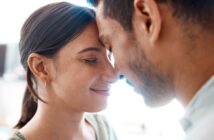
45 32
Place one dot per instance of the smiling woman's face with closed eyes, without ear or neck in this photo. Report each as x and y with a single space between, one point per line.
81 73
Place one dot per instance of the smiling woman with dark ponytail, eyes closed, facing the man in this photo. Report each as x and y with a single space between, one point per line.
68 74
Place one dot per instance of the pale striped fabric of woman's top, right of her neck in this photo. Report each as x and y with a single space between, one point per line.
103 129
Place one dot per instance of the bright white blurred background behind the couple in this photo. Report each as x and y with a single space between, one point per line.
128 114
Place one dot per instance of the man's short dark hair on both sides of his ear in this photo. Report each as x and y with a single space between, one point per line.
200 12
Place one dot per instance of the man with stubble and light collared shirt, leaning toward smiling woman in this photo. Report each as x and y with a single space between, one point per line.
165 47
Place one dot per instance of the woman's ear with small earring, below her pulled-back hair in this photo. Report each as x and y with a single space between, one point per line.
38 66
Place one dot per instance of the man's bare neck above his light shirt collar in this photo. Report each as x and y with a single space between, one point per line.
196 70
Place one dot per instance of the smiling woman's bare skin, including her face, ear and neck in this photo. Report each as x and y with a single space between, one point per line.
75 81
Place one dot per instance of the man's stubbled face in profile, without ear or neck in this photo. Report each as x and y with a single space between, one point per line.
133 59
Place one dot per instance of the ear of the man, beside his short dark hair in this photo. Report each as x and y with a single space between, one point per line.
147 13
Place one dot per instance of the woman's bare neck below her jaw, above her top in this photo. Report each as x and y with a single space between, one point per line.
49 123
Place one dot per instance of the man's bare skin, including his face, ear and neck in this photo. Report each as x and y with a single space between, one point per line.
163 57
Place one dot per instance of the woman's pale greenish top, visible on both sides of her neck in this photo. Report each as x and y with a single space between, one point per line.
101 126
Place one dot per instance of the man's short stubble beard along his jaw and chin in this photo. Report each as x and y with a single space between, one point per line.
156 88
